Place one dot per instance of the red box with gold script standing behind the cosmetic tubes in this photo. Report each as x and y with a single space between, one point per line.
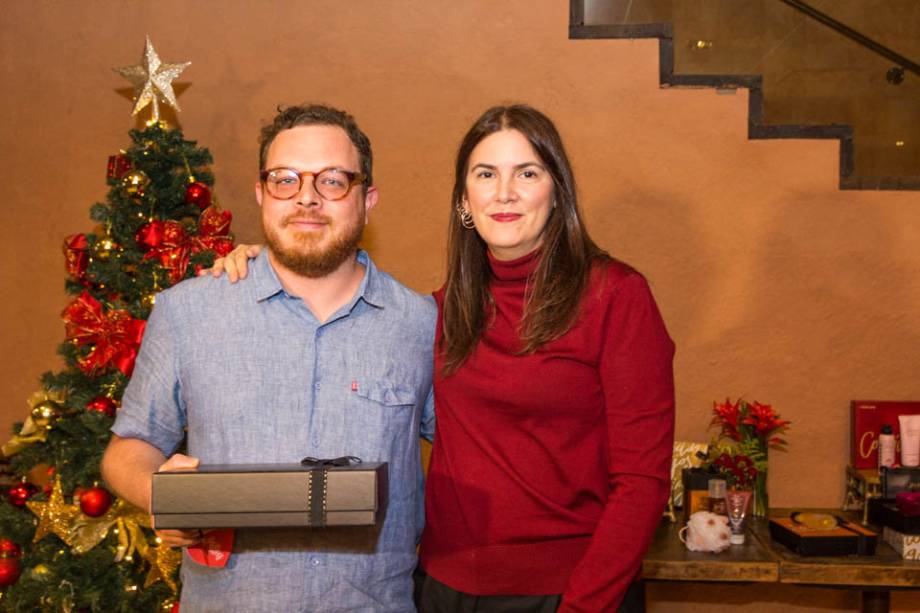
867 418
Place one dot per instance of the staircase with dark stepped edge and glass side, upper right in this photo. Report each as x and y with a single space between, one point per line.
837 69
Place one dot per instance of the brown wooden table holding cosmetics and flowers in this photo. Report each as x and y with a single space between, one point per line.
763 561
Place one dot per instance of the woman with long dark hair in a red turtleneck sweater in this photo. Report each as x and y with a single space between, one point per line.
553 391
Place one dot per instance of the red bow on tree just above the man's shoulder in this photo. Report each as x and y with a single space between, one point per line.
171 245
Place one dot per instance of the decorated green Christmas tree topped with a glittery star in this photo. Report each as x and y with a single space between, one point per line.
73 545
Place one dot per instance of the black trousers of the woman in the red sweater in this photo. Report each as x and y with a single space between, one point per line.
432 596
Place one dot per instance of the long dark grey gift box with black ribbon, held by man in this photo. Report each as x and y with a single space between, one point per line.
270 496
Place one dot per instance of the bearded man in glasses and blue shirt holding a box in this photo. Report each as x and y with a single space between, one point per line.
320 354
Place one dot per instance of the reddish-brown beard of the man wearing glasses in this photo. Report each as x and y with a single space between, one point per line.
303 258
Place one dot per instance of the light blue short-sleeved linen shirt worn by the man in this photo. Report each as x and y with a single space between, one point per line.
254 377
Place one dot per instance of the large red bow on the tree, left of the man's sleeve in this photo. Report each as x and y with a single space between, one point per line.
115 335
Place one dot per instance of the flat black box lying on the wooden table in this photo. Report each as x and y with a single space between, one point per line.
844 539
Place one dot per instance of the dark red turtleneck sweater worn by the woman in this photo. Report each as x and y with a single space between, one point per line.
550 471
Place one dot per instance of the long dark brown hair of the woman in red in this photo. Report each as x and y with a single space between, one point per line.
555 287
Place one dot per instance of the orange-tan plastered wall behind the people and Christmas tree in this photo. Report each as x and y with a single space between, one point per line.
775 285
